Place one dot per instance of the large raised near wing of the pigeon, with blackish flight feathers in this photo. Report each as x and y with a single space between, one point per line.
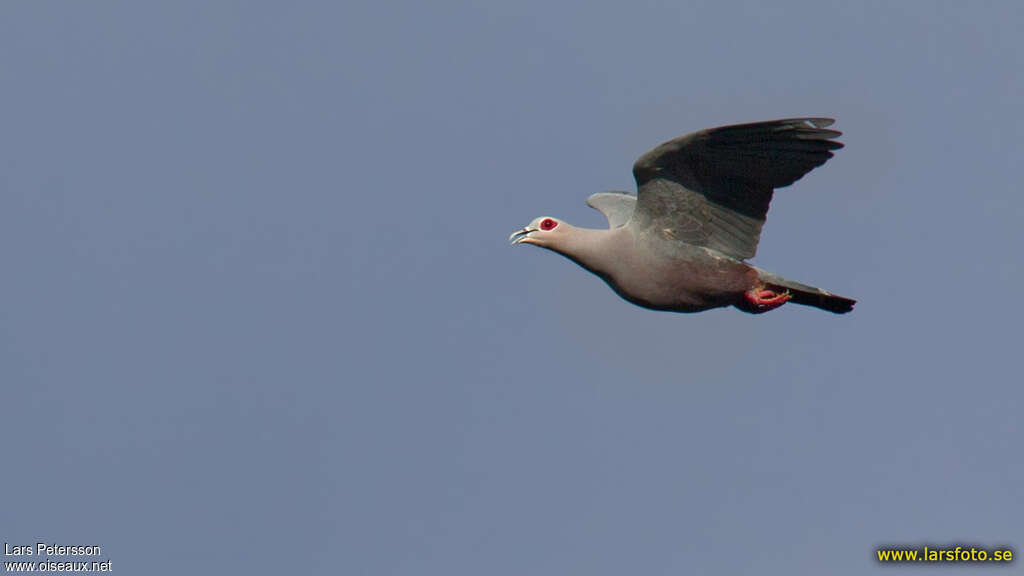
713 188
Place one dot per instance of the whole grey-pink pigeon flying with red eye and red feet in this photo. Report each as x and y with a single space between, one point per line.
682 242
